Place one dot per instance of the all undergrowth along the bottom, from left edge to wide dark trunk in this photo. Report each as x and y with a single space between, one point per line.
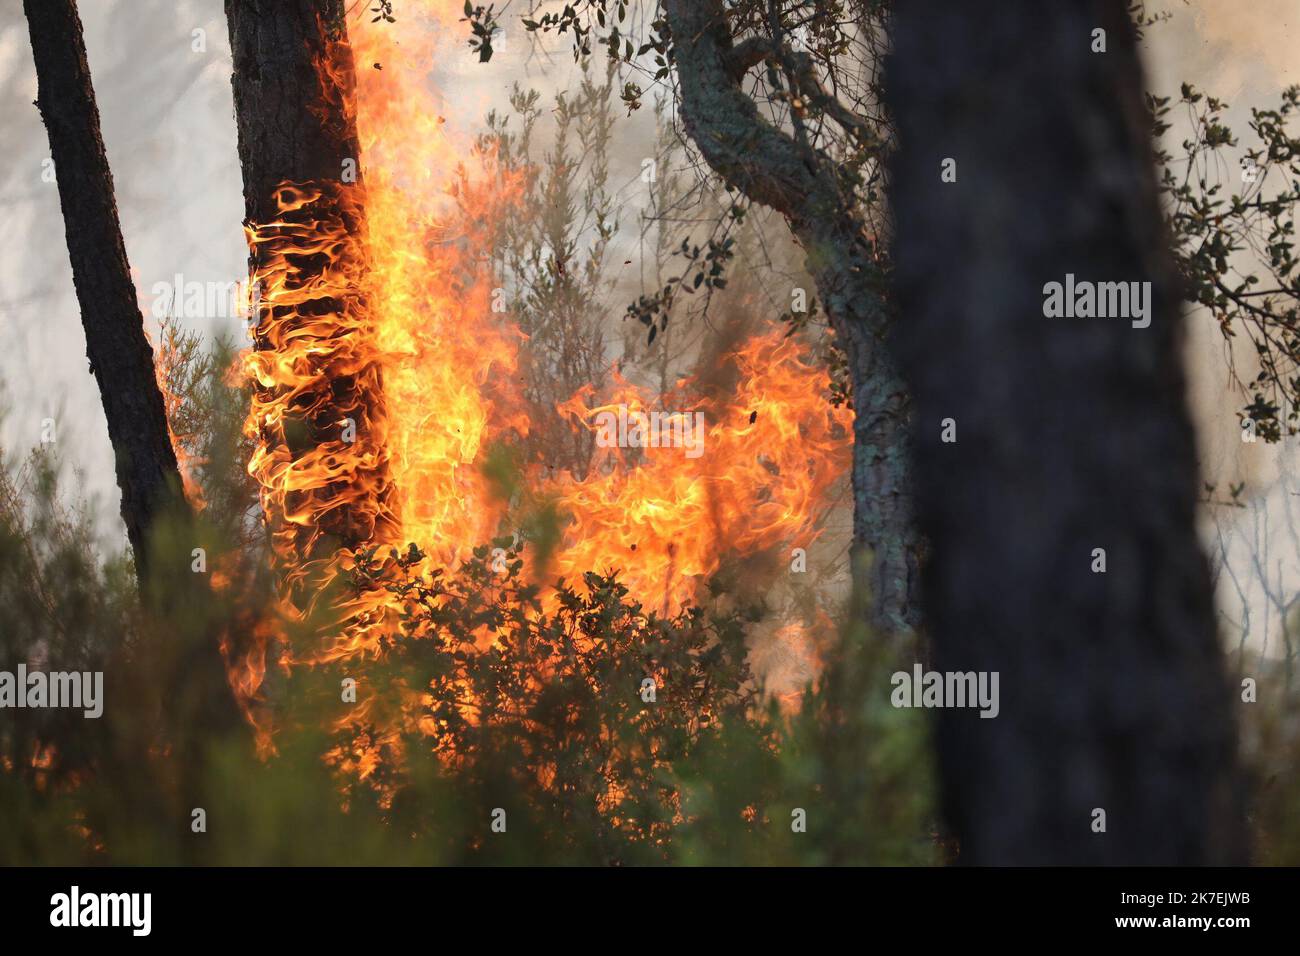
487 693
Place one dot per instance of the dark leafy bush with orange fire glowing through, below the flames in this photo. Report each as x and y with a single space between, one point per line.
551 704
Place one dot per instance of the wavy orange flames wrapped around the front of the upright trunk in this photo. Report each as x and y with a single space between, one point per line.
322 458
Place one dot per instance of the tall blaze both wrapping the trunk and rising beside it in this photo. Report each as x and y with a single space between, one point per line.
371 353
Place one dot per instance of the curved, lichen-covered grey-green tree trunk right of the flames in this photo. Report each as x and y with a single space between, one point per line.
778 171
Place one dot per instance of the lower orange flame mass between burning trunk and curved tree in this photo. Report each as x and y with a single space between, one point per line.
760 478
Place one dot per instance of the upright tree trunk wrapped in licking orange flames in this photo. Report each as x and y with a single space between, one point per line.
322 457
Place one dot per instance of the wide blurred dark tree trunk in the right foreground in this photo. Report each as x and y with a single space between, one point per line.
1073 435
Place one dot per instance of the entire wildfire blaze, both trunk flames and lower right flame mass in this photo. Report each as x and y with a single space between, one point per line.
384 373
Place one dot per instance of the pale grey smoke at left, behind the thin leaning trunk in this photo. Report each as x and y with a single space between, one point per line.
162 75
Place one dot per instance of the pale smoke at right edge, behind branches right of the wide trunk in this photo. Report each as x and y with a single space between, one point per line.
1245 54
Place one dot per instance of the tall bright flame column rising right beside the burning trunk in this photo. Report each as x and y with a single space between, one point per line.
449 360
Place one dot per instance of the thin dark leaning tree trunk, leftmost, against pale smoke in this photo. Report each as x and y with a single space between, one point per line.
116 345
